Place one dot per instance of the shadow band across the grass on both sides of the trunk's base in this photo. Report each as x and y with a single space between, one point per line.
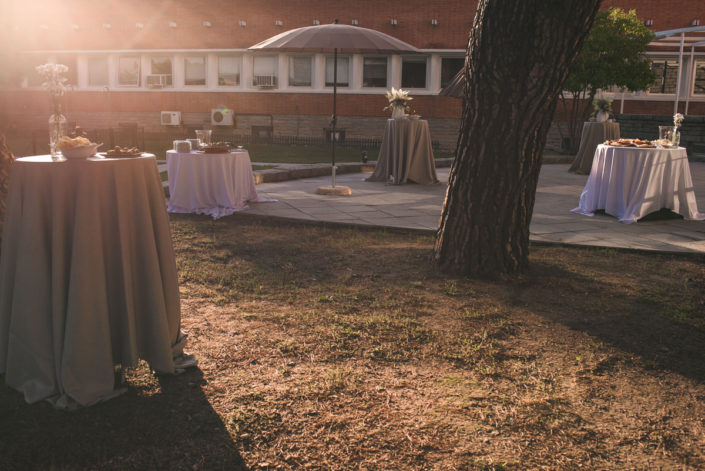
590 297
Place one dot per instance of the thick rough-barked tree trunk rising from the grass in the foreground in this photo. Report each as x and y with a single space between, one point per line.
518 57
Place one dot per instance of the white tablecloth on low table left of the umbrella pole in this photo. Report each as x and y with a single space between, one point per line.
213 184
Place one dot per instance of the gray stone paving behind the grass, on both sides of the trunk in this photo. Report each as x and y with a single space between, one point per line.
418 207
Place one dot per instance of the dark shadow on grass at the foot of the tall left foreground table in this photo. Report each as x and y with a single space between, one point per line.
162 422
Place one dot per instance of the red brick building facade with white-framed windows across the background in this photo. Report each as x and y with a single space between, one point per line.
131 60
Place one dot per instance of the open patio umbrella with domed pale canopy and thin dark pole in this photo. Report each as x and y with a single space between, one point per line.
335 38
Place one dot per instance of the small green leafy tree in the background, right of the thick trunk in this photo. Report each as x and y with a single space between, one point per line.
613 55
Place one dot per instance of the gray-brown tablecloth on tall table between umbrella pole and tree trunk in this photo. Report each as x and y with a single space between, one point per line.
406 153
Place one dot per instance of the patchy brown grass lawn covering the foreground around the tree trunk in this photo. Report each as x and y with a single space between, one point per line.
339 348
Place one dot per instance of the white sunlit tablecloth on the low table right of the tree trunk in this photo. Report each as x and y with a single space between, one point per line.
630 182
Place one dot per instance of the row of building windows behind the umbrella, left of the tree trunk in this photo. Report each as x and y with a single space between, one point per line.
160 71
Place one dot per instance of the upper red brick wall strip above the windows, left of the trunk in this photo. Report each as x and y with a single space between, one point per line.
413 22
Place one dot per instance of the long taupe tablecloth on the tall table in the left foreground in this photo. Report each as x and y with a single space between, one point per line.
87 277
